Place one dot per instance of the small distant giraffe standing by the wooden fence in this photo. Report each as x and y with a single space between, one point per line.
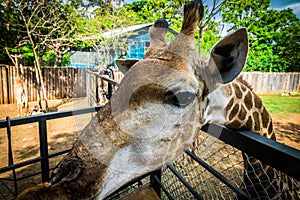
20 93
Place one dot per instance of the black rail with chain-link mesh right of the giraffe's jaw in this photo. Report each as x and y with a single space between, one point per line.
214 167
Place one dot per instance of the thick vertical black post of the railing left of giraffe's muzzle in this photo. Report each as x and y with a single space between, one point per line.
44 149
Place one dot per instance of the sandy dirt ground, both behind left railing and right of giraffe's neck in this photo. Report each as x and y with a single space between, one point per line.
62 133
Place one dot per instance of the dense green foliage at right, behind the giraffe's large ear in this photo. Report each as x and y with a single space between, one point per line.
273 34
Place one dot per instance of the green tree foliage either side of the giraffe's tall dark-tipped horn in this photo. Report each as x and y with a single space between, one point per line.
150 11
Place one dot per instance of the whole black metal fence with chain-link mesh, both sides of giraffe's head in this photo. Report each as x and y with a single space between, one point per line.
196 174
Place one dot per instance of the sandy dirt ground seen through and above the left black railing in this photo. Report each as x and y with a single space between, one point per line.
25 141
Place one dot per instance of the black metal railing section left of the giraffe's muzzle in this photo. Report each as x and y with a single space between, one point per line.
43 143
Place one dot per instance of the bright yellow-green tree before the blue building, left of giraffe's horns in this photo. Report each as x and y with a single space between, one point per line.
97 37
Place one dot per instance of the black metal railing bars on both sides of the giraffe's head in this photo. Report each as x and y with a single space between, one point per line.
277 155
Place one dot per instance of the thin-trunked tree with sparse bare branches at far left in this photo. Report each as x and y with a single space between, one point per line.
38 24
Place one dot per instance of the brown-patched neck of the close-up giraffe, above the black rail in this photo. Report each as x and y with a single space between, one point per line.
236 106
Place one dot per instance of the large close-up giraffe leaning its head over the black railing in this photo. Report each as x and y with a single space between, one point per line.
160 106
